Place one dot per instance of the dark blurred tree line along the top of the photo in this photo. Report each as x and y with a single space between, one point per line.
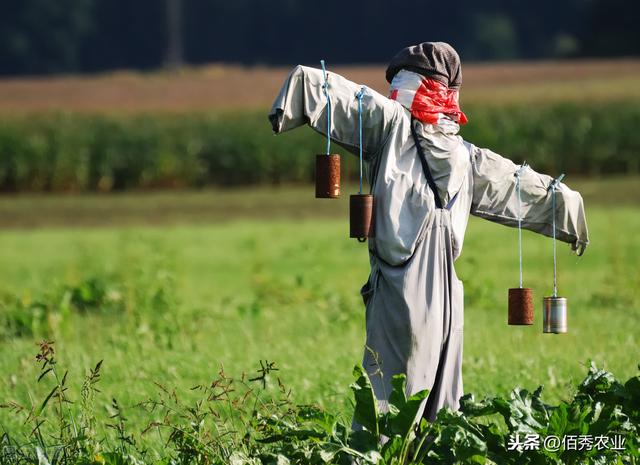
69 36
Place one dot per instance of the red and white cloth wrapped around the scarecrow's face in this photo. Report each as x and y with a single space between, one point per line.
426 99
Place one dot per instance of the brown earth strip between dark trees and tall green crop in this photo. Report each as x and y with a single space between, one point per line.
236 88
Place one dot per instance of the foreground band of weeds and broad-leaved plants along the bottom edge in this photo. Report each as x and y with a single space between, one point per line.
254 421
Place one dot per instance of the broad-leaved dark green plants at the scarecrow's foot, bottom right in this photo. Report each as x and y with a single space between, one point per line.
481 432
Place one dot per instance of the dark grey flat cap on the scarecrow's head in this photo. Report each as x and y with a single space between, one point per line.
436 60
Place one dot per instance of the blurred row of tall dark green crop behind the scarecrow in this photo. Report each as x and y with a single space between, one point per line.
66 151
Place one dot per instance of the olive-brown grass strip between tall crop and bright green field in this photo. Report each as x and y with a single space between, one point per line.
37 210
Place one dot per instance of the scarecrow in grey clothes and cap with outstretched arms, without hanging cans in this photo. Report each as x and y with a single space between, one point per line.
426 180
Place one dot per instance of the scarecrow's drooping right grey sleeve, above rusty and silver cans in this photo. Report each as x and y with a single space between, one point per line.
495 198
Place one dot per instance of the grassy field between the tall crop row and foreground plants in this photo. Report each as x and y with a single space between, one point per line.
166 295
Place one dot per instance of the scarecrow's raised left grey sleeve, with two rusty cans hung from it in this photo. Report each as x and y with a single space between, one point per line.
302 101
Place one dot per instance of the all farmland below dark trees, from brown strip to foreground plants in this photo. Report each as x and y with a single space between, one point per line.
154 223
